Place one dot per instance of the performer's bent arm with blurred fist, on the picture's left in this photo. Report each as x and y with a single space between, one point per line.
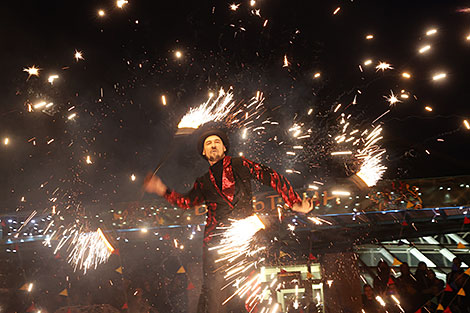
153 184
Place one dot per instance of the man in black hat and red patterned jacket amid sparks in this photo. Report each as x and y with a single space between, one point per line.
226 191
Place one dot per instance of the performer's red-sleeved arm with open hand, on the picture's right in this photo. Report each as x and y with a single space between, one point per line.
280 184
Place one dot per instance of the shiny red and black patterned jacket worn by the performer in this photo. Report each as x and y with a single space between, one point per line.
234 200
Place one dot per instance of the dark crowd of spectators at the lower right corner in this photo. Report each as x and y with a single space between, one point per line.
418 292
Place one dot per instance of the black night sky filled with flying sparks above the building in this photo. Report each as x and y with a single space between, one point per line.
129 56
